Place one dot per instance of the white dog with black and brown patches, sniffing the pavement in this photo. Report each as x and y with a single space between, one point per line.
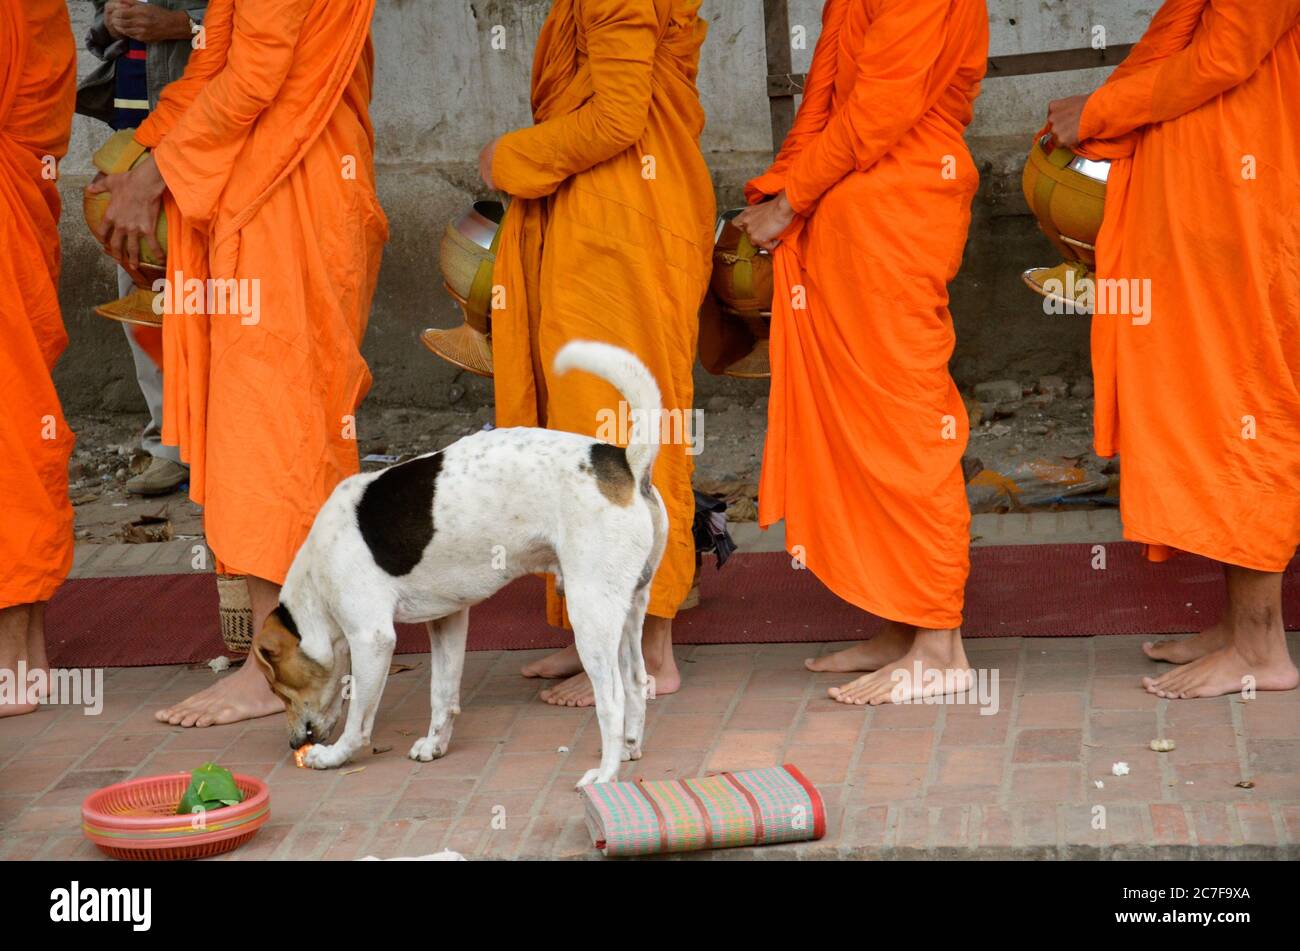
430 539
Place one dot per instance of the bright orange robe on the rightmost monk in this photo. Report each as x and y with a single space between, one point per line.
1201 392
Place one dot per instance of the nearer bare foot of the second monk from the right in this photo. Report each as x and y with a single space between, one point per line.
935 666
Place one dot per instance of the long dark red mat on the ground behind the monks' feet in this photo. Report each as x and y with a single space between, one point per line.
1039 590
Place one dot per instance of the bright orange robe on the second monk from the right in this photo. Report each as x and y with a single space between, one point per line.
866 428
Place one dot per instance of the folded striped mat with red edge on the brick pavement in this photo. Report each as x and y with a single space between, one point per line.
757 807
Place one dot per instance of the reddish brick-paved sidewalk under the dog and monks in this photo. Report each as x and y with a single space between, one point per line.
900 781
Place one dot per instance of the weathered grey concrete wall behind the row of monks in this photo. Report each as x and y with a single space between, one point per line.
443 92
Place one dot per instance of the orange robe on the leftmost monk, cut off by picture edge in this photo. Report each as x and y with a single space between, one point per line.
38 80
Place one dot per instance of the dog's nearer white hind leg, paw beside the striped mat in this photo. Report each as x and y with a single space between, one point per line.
599 615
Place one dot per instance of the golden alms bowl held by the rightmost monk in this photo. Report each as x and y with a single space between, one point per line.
1068 196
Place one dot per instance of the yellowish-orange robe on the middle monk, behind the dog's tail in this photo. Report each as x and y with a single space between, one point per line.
609 236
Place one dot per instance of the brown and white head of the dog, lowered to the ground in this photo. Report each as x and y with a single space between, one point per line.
313 691
